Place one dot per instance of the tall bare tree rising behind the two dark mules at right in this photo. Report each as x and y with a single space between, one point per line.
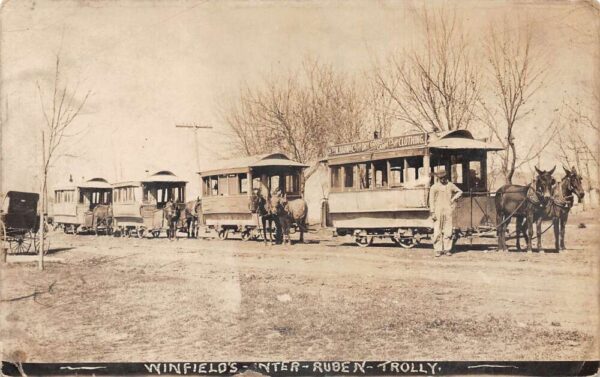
516 74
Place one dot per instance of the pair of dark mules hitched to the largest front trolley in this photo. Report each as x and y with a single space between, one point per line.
542 200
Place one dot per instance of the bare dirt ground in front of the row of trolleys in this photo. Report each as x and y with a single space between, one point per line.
119 299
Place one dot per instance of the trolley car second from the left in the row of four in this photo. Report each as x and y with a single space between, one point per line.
138 205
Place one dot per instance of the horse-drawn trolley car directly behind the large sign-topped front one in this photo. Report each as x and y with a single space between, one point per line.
227 190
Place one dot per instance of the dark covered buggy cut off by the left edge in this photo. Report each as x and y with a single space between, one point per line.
19 222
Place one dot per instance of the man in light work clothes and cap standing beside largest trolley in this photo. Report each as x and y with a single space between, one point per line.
442 196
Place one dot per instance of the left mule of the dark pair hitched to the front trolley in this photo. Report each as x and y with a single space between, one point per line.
522 202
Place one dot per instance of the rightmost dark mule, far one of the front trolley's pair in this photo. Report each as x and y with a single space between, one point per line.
558 207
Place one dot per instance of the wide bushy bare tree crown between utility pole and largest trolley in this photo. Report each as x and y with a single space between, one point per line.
299 114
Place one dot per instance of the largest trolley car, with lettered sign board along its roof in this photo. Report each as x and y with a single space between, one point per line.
379 188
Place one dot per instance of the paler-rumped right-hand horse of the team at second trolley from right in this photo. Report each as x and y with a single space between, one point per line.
290 212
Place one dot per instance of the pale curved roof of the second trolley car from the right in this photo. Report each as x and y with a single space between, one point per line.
241 165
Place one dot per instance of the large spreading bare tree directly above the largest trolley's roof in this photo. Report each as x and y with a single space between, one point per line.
434 88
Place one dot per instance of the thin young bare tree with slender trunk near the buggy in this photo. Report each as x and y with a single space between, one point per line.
63 108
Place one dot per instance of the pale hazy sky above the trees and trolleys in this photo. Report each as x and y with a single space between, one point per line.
150 65
